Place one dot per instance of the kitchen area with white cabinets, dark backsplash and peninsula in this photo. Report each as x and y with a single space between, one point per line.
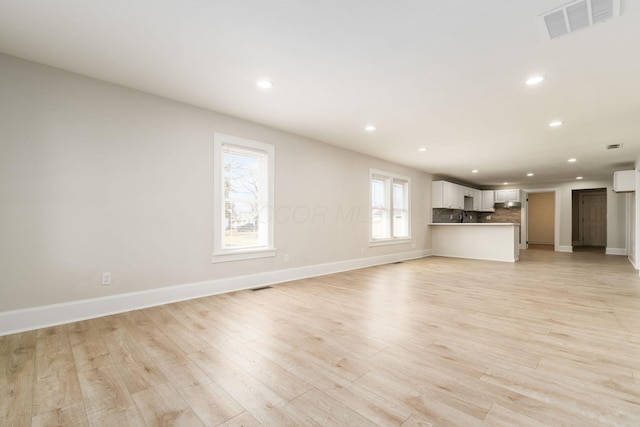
476 224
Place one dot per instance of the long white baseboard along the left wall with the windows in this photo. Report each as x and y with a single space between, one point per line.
56 314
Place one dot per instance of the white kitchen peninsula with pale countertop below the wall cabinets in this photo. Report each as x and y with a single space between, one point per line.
486 241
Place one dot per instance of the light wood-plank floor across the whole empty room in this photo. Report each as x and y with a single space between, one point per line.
551 340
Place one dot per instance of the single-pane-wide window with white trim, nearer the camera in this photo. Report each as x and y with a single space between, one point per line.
243 199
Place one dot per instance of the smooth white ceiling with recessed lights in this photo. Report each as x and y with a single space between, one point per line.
446 75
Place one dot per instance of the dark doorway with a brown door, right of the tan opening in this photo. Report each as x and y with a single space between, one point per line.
589 220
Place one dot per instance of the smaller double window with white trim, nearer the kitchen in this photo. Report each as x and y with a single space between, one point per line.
390 214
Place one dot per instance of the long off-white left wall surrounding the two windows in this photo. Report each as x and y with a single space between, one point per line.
96 177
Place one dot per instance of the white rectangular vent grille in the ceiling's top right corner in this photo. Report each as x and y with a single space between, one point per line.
577 15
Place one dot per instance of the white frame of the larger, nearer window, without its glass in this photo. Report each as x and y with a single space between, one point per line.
220 253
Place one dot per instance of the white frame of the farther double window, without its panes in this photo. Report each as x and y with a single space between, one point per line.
389 177
